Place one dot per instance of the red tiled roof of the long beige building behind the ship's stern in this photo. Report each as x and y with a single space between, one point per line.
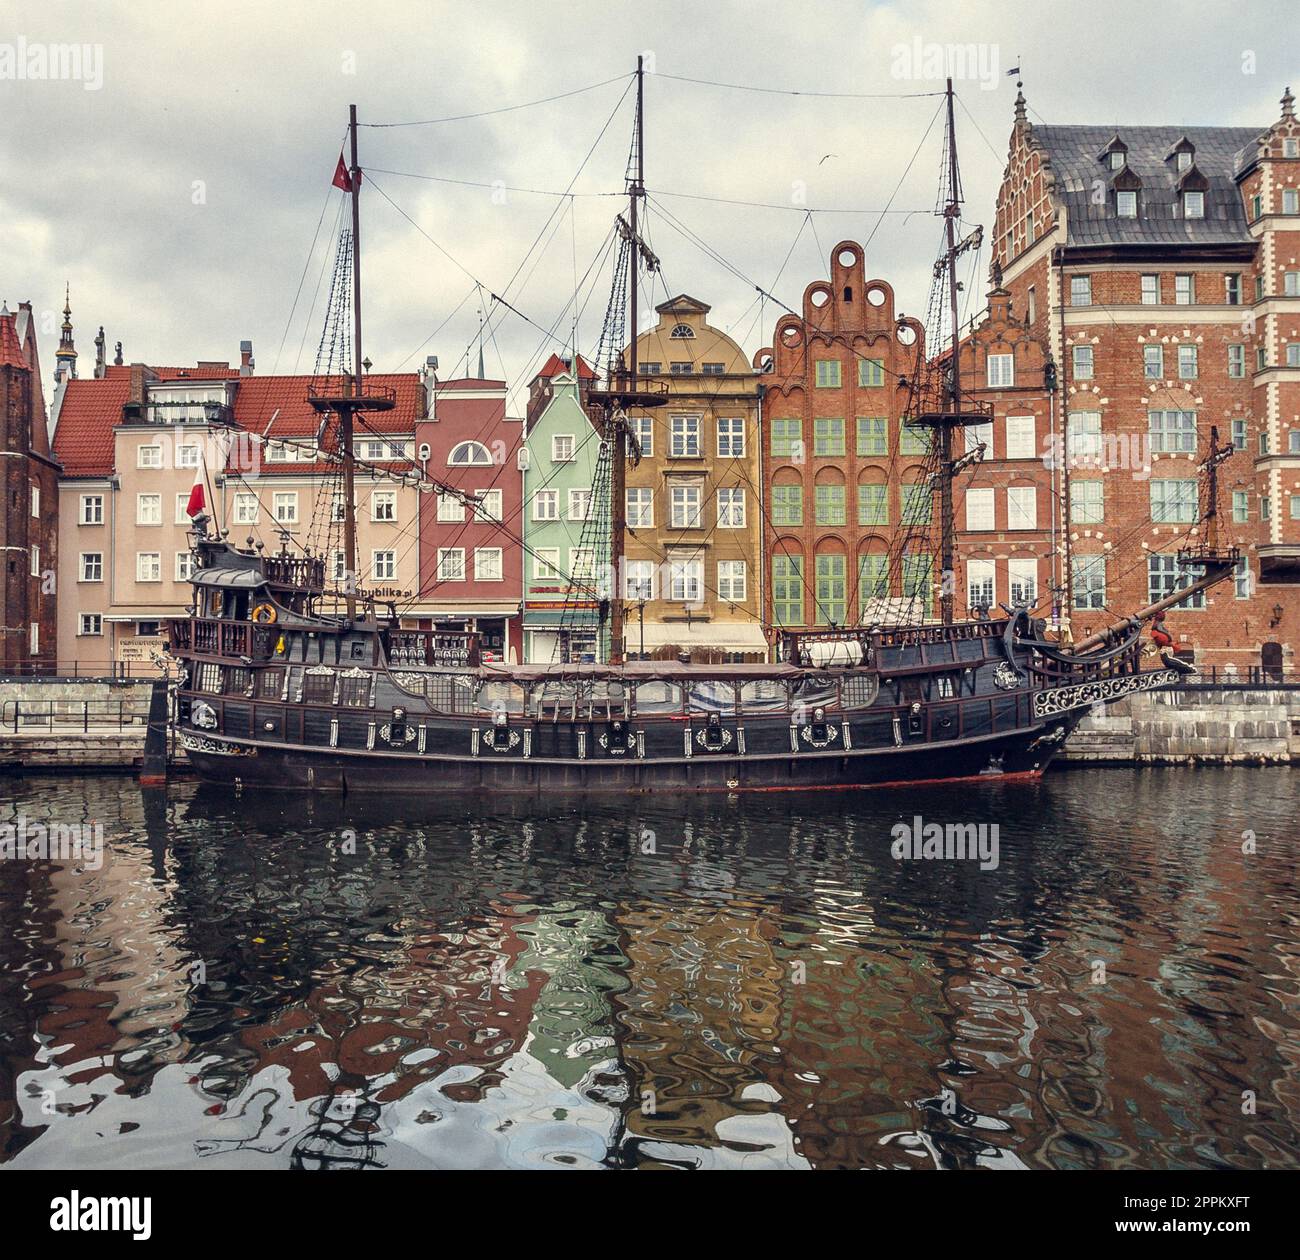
90 410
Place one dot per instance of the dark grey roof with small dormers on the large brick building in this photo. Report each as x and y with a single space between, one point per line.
1074 154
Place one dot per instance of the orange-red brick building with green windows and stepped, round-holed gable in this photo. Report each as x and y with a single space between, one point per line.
840 471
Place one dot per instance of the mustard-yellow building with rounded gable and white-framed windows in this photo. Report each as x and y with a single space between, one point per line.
692 577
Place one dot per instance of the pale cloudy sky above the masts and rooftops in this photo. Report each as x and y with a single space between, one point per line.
180 185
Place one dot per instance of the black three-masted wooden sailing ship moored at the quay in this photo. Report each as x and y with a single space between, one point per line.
285 678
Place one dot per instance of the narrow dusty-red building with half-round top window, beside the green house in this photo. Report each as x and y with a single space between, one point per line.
473 560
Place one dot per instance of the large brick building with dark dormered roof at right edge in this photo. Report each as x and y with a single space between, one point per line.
1159 267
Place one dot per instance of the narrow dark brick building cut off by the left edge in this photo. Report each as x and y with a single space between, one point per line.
29 519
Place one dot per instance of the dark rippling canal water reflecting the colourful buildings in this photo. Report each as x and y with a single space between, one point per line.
747 982
